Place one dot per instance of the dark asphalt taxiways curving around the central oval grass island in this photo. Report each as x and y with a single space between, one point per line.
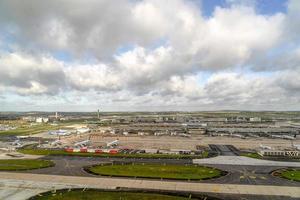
237 174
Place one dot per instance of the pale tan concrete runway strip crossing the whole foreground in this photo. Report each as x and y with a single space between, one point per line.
19 186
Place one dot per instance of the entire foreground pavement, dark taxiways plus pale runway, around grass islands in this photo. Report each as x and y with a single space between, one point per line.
244 181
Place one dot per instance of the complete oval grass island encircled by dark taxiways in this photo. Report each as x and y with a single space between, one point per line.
182 172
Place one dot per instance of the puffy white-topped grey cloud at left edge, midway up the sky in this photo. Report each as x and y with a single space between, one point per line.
28 74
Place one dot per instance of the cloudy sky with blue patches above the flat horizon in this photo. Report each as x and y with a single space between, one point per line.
149 55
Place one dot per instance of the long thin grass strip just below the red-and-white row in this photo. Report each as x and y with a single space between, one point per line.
32 151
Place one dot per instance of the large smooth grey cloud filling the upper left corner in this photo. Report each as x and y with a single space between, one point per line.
100 28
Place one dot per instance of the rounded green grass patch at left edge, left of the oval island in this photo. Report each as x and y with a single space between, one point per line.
15 165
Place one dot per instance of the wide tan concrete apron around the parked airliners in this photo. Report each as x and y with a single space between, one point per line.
175 142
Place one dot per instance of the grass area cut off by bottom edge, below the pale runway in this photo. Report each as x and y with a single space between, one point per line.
101 195
